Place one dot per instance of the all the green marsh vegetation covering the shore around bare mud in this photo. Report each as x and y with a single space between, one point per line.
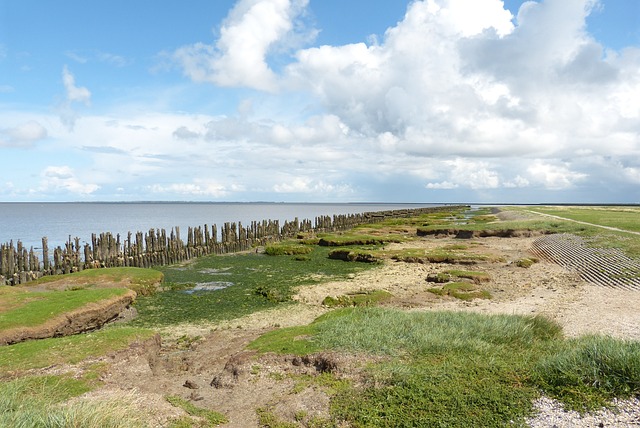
414 368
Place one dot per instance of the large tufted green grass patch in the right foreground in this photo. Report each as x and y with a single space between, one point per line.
462 369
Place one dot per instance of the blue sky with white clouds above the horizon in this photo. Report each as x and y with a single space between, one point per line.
433 101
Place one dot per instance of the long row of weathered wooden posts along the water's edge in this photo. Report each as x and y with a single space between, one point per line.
19 265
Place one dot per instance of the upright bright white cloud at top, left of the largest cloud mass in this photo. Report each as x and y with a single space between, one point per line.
252 30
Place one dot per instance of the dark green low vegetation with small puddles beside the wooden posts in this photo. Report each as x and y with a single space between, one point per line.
259 282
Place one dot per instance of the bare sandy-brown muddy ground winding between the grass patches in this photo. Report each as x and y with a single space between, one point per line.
216 372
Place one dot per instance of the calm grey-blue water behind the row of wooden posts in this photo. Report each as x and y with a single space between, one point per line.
29 222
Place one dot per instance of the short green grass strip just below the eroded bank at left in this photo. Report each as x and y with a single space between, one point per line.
71 349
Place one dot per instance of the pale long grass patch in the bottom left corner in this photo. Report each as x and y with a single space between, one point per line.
42 402
